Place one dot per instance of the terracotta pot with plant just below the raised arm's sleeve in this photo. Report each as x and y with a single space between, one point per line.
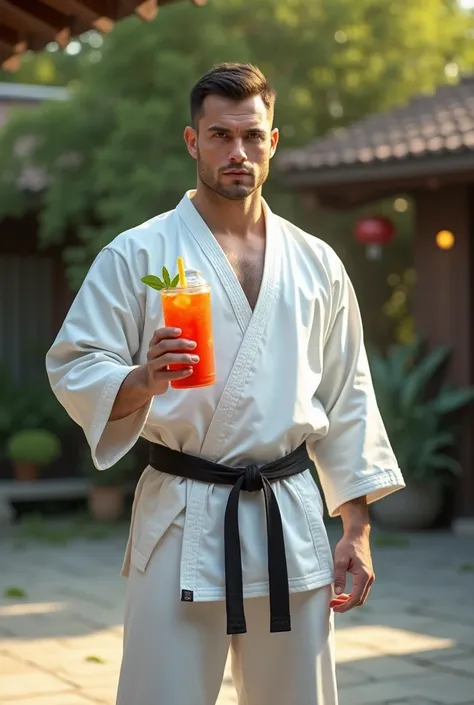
106 491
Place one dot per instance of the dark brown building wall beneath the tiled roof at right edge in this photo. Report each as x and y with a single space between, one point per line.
444 300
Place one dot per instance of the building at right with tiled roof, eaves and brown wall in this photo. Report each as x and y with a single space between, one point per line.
424 150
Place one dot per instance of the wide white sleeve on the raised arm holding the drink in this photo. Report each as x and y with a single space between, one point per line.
94 352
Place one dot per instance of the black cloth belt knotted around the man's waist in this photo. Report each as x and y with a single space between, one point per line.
249 479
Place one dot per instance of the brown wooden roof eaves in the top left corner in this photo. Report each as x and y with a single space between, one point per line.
32 24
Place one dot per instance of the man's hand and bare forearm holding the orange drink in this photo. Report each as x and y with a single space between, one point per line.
153 378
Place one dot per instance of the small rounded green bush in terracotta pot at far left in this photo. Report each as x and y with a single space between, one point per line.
30 450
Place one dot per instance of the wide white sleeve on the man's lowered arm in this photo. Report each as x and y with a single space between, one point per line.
354 458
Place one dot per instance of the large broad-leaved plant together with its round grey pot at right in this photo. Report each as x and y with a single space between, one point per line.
419 413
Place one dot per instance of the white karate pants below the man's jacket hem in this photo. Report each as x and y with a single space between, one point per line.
175 652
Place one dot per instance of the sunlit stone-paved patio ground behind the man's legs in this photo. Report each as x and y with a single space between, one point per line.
412 644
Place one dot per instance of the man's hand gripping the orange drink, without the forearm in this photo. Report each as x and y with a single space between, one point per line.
166 348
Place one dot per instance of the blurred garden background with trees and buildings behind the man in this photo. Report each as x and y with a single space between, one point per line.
376 112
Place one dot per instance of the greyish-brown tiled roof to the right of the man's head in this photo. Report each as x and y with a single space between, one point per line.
433 125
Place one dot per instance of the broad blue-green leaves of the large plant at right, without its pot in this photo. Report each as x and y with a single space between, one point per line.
419 410
